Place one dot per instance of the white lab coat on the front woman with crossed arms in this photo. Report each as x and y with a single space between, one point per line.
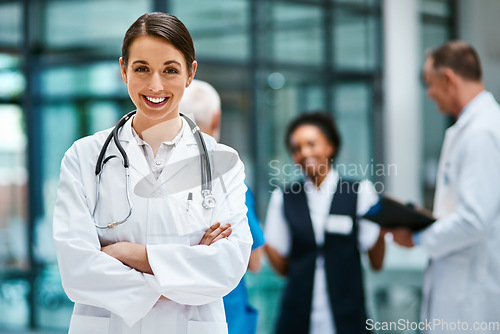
109 296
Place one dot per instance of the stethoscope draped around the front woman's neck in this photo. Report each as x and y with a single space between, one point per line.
209 201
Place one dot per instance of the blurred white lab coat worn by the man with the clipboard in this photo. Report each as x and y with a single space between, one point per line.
462 282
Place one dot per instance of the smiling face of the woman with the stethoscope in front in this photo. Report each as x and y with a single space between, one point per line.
156 75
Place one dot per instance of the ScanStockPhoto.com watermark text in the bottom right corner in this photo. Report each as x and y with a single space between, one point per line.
434 325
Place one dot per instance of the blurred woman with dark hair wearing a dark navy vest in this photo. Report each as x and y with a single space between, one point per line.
315 237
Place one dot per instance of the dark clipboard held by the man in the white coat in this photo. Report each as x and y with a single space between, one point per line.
390 213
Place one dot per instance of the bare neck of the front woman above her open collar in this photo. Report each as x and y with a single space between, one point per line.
155 132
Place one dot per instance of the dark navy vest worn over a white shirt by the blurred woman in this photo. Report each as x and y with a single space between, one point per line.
342 265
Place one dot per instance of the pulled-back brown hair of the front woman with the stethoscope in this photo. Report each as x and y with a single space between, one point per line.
164 26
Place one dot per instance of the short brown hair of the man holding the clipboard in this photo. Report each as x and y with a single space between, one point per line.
458 56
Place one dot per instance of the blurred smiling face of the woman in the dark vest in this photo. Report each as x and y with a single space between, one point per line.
311 149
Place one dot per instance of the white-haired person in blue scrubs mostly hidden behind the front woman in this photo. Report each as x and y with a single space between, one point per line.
202 102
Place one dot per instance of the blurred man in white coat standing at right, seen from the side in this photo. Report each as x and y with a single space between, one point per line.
462 281
